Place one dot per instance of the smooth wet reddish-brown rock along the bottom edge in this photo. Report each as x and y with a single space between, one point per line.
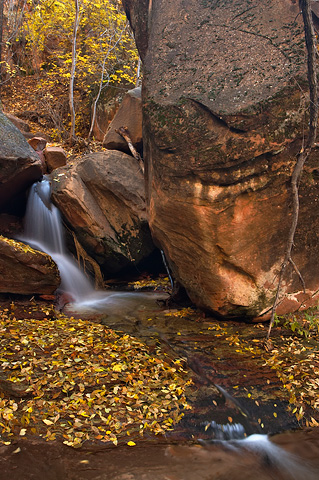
38 460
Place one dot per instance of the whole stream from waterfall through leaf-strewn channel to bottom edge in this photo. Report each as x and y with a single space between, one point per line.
239 409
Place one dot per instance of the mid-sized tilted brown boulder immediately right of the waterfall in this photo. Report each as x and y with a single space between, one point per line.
101 198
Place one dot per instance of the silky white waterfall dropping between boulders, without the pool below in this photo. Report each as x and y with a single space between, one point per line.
43 231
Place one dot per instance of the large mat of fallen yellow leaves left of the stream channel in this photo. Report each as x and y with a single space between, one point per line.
65 378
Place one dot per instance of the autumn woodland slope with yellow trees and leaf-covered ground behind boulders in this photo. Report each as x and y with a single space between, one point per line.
58 58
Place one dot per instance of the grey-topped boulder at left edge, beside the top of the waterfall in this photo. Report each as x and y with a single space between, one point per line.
20 166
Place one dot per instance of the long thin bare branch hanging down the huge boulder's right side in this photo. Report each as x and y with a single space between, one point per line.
311 45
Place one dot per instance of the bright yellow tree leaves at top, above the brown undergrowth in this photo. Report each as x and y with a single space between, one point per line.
103 33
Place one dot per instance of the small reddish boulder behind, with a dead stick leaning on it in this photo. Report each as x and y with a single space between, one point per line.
128 115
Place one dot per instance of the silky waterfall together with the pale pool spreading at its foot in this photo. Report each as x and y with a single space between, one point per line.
43 231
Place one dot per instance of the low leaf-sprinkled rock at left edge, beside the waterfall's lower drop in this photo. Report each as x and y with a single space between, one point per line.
26 271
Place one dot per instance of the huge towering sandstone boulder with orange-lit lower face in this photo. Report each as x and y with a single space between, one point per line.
224 112
